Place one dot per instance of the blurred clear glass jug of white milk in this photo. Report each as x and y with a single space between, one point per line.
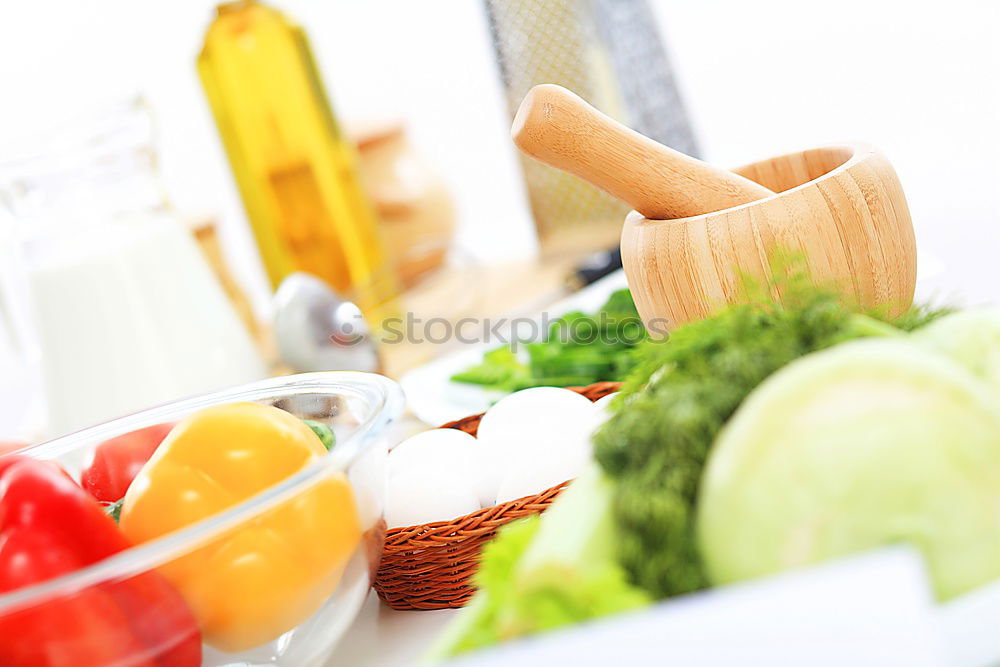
126 311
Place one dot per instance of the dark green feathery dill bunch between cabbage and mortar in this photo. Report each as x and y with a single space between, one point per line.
680 396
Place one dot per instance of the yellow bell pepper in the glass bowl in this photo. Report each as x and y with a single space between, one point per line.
264 577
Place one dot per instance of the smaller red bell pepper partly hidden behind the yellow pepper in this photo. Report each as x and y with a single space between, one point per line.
117 461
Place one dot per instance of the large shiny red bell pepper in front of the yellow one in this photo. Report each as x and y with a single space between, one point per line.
49 526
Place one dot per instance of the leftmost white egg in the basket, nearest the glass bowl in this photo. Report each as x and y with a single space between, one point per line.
424 494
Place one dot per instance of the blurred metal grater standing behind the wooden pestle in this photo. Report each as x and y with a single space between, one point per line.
610 53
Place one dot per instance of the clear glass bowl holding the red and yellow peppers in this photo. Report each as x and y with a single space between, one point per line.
357 406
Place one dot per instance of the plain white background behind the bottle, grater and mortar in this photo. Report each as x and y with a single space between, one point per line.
918 79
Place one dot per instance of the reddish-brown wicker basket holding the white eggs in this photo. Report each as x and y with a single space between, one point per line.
429 566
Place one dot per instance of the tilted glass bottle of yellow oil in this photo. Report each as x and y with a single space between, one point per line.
297 175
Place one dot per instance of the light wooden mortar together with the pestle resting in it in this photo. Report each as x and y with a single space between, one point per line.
696 228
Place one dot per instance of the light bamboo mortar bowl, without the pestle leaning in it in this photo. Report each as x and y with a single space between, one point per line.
842 207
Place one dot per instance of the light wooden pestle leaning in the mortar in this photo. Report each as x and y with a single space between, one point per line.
555 126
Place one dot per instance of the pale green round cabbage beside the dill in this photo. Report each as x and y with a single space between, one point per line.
866 444
